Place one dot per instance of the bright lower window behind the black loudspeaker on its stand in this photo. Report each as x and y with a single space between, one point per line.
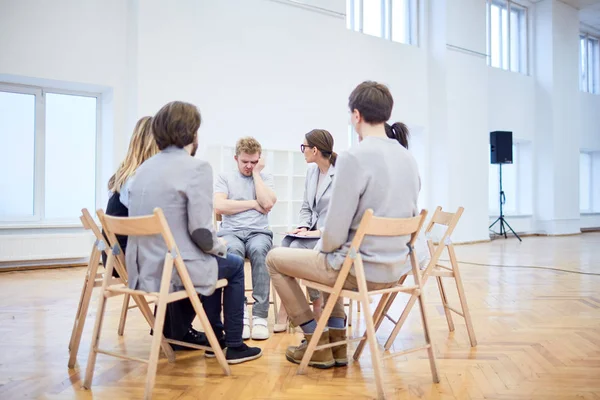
516 183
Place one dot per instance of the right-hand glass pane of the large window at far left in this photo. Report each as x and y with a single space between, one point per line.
70 155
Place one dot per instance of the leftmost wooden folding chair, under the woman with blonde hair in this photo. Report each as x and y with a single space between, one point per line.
93 278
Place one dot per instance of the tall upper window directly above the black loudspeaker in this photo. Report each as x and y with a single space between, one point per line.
507 36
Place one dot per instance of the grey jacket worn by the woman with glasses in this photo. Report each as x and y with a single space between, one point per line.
316 198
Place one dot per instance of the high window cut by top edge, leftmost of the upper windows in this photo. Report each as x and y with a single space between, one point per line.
388 19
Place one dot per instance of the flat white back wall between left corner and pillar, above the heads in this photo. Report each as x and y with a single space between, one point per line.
275 72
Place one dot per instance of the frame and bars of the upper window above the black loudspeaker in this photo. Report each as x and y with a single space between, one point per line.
525 61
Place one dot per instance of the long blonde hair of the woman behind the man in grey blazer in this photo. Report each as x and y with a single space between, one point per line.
142 146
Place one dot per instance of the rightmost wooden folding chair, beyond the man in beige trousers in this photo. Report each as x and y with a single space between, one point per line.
448 220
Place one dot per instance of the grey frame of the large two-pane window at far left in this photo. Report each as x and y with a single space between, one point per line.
39 175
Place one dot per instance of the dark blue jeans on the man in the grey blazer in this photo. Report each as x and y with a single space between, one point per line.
232 269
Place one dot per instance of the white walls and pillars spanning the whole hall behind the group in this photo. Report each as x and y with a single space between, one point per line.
275 71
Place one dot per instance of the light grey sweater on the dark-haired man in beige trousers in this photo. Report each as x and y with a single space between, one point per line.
382 175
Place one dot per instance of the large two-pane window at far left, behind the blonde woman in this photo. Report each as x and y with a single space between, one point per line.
48 153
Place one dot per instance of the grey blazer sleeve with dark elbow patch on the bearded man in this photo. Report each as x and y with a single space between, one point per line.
200 211
